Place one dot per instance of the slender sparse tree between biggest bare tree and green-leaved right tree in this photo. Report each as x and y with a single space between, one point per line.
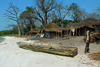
62 11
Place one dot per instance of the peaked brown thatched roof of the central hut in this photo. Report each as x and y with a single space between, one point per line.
53 27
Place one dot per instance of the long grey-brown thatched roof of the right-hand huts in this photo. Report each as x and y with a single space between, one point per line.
87 23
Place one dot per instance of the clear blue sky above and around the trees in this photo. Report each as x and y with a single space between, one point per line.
88 5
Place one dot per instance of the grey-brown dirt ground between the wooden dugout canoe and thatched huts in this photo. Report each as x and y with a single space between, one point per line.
70 41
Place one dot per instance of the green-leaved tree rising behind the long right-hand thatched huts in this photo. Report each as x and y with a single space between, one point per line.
75 12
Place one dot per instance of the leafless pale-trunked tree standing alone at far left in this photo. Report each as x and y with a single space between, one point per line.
12 14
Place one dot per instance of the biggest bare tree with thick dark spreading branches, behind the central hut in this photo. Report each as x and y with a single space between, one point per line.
42 9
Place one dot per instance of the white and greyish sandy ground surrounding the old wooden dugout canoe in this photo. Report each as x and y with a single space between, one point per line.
13 56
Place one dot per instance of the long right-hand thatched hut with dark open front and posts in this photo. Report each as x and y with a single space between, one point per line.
82 27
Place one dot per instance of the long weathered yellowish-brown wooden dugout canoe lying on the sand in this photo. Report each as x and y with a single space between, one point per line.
65 51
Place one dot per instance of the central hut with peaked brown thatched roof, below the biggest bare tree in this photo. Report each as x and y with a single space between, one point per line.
53 30
